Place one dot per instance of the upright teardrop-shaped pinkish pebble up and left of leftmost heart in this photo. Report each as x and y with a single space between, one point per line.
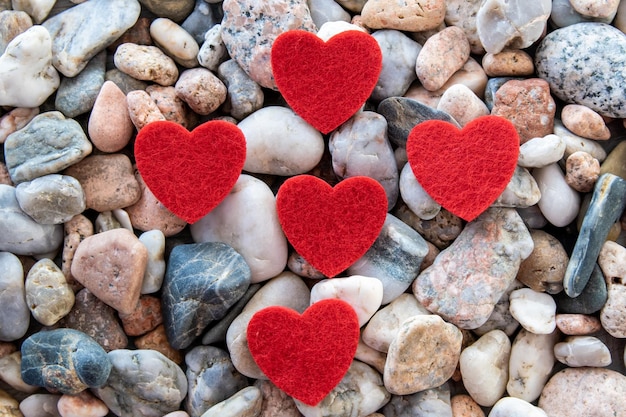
110 127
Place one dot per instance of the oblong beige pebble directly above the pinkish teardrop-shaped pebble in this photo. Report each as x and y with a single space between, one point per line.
146 63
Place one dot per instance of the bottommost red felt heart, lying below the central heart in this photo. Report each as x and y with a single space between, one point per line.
305 355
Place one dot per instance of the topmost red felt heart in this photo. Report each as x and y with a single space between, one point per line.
325 82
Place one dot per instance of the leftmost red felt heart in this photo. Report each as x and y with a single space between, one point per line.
190 172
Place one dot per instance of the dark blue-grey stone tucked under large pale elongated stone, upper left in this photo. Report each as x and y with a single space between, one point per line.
77 95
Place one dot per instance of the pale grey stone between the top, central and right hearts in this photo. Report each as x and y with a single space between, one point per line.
360 147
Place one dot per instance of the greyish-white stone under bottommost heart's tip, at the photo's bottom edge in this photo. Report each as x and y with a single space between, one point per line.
361 392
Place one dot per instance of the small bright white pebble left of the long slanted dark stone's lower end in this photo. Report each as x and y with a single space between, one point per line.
535 311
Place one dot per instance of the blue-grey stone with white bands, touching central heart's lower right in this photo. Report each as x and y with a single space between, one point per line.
394 258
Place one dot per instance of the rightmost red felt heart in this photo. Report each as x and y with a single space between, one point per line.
464 170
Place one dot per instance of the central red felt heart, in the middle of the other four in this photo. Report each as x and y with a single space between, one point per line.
331 227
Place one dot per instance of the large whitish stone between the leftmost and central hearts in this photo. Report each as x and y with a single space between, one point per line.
232 223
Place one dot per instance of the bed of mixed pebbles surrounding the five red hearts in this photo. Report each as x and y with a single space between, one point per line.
111 305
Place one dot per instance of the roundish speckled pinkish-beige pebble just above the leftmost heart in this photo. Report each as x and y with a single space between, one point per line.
201 90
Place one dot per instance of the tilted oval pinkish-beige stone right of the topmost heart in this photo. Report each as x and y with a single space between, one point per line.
442 55
